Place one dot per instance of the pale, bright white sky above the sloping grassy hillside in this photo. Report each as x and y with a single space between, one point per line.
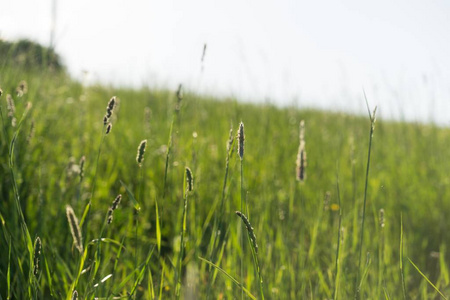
288 52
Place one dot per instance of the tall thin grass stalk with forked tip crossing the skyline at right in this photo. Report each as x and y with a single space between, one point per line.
361 239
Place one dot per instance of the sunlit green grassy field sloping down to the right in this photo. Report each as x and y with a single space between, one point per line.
308 232
